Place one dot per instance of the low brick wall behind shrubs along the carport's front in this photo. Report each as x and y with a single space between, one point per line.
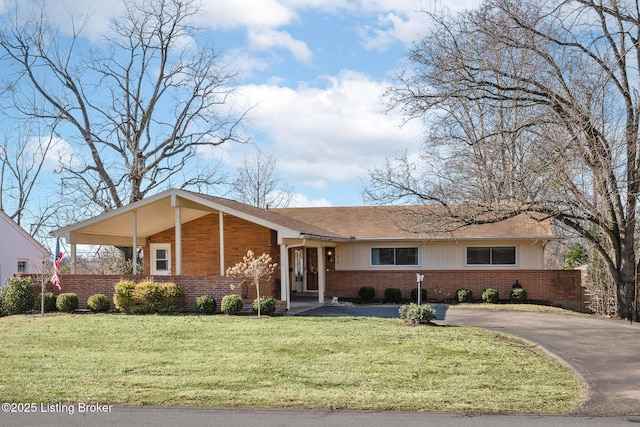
195 286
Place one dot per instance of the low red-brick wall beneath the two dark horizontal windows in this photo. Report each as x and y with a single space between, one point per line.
559 287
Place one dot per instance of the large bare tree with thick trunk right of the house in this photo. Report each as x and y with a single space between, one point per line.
558 81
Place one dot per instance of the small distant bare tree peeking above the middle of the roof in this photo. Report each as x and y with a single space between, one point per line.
257 183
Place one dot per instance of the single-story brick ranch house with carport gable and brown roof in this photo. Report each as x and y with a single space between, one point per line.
192 238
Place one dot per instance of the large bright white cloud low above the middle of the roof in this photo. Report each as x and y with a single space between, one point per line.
329 134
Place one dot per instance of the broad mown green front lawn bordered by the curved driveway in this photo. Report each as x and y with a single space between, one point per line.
293 362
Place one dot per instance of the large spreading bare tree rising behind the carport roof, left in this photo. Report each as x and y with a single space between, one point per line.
137 107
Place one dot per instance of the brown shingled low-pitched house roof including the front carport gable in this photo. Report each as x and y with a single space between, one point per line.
156 214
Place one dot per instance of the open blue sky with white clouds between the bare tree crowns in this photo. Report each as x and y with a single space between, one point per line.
314 72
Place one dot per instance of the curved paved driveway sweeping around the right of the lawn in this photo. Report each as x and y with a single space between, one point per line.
605 352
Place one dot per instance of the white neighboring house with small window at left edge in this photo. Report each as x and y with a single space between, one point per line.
19 252
